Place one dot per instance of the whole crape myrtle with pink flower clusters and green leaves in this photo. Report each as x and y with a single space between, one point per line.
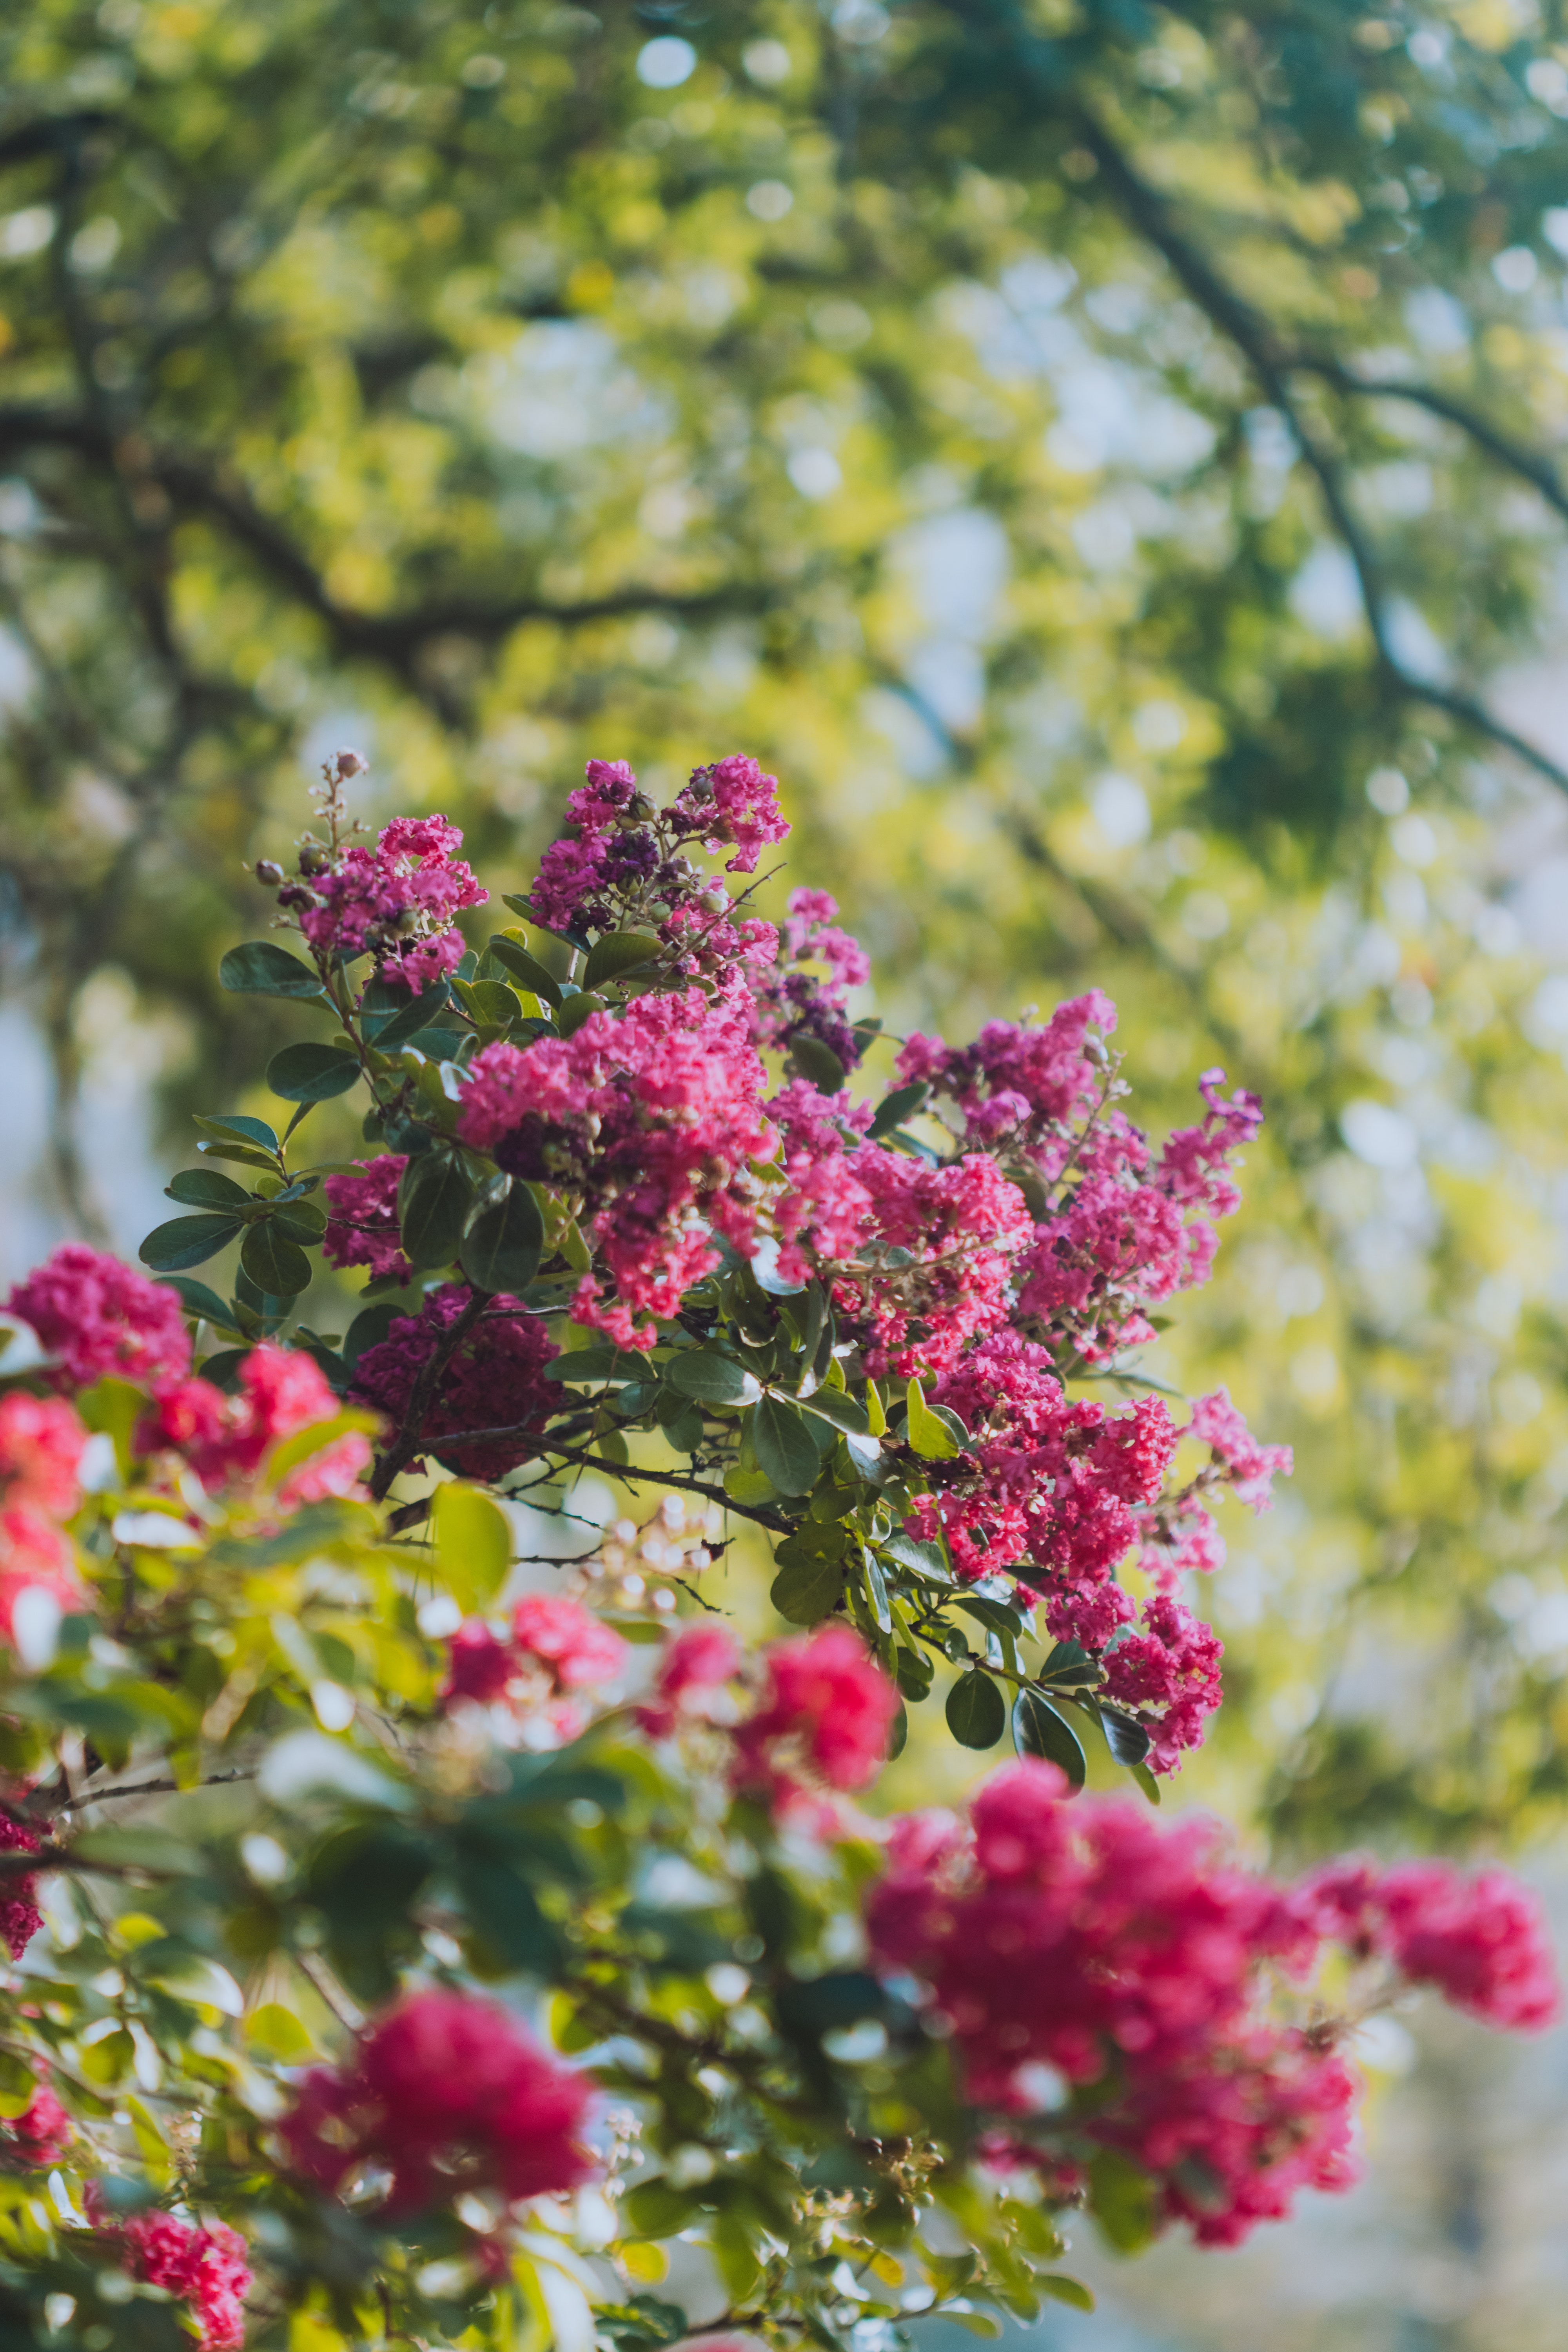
401 1958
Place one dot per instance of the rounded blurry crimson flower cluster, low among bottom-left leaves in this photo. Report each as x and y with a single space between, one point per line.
445 2094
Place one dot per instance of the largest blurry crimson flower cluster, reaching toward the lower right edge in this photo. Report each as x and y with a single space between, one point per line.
1106 1984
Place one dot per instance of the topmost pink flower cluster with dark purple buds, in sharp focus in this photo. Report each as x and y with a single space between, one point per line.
624 857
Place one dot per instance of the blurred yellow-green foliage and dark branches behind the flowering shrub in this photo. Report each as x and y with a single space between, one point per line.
1106 460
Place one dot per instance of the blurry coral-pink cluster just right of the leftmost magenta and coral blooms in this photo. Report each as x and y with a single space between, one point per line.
229 1436
